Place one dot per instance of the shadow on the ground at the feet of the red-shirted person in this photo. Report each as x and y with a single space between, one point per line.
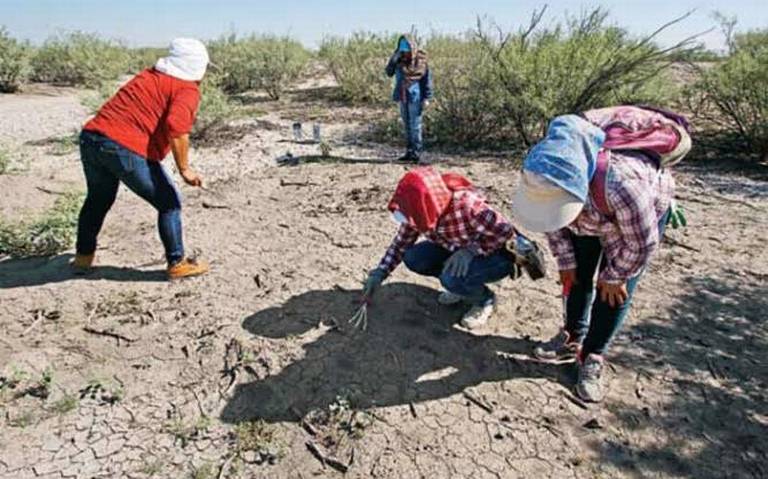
18 273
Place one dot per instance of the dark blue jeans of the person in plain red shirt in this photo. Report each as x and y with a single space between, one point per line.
106 164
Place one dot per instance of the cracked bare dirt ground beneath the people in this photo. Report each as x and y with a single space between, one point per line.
232 375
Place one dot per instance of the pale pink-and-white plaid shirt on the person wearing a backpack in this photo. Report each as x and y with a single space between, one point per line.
639 195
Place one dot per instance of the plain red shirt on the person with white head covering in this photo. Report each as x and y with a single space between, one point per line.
147 112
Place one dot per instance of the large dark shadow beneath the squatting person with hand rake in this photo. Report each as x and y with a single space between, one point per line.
410 353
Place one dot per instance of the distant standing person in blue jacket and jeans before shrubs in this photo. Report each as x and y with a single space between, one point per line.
413 90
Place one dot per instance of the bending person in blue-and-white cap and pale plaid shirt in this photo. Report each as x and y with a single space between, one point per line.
557 196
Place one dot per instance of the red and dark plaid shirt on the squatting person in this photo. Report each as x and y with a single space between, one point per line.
468 222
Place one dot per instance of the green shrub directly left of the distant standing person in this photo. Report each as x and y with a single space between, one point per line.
357 63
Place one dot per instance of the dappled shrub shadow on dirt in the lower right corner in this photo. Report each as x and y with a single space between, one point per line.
717 340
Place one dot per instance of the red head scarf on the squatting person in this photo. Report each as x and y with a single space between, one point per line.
423 194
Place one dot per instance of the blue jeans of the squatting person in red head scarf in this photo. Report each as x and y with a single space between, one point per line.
427 259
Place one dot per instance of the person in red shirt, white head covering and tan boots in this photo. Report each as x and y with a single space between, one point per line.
126 142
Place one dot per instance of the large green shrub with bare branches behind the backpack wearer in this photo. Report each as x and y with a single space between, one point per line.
576 65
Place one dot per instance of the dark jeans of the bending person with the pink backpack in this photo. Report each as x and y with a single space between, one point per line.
590 320
